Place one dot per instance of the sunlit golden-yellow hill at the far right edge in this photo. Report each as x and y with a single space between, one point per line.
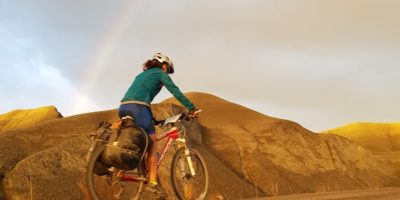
379 137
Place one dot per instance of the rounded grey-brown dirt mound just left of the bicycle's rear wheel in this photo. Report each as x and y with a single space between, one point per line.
53 173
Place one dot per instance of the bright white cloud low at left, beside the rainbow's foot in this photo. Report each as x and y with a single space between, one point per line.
29 82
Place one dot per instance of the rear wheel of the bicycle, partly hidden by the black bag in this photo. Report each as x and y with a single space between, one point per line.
104 182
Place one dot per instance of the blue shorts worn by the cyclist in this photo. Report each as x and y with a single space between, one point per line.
142 115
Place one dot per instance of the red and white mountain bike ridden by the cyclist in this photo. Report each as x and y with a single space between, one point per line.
189 173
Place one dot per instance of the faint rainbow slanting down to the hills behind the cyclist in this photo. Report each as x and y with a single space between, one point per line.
98 62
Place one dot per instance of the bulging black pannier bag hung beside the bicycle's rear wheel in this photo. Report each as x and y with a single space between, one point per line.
126 146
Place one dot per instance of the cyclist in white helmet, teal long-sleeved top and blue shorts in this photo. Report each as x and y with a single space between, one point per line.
136 104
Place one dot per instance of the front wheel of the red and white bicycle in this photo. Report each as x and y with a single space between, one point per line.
187 187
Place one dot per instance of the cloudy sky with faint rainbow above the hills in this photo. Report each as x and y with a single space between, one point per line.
322 64
